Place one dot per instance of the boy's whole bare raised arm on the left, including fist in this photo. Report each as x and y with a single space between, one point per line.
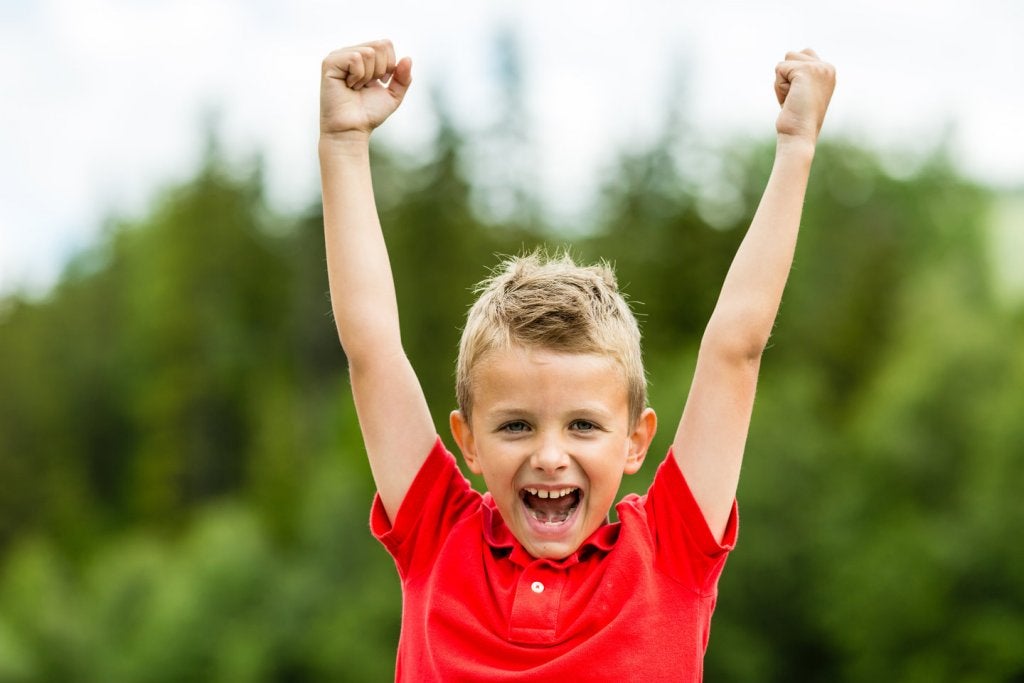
361 87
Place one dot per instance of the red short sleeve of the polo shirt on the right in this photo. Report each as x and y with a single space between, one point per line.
686 546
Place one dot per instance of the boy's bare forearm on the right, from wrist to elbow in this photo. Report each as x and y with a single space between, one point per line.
751 295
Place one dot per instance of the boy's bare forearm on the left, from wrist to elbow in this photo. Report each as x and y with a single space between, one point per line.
362 287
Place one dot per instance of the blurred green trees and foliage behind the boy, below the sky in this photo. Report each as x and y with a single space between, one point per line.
185 494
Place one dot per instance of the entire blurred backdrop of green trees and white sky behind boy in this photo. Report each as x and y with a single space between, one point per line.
184 492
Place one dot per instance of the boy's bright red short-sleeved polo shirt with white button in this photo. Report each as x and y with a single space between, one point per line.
634 603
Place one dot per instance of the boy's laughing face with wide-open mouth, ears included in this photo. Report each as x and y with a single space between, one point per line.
551 435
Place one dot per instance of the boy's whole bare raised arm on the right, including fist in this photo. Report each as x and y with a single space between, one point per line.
712 435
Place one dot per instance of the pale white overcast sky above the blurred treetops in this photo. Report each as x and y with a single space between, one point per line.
102 102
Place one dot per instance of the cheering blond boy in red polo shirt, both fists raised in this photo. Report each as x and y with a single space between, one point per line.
530 581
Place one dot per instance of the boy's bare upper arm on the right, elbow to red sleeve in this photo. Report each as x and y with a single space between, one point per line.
712 435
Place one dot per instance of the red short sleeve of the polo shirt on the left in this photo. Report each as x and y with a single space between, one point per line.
438 499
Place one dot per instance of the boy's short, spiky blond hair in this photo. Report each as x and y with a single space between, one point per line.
550 303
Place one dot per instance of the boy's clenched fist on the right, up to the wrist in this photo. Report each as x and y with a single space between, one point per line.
804 86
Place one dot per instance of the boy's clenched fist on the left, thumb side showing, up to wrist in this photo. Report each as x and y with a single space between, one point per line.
361 87
